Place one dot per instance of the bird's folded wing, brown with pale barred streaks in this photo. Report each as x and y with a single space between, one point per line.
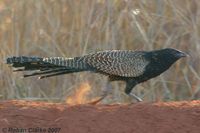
119 63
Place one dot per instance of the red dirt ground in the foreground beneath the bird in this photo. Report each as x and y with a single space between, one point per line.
41 117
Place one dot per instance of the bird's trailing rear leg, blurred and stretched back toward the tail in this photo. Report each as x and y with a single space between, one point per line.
106 91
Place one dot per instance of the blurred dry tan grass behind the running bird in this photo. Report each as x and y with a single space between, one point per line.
75 27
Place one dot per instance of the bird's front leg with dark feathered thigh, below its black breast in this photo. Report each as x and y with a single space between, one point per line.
129 86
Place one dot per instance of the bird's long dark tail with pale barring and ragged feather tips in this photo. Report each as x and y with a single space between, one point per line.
47 67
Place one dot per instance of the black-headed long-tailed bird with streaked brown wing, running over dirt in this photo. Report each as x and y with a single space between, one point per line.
132 67
